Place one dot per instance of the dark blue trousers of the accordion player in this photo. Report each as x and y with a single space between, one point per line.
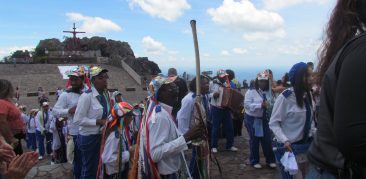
221 116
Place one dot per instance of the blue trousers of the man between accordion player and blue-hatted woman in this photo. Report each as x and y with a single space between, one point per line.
254 141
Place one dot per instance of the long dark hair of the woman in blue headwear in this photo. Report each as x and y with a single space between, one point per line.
301 86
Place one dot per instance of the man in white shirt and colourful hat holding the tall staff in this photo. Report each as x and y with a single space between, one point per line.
161 141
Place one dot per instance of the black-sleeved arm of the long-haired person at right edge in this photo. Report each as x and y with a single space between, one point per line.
349 109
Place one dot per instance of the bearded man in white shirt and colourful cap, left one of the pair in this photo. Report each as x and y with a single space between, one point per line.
65 107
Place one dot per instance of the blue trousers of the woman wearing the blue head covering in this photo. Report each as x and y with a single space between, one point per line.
280 150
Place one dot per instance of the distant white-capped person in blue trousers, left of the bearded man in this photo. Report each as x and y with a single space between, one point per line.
43 120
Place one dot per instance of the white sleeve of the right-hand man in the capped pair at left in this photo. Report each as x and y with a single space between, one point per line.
81 113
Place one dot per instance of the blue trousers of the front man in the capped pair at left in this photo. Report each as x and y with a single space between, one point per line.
90 149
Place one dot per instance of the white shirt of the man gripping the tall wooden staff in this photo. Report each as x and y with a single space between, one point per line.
166 144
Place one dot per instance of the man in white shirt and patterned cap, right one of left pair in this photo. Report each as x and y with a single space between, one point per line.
92 111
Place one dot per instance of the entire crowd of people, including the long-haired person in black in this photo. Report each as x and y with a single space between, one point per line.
313 120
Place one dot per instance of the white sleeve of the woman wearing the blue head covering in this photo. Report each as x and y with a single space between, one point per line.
278 114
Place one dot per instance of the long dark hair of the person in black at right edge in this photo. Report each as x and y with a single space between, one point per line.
348 18
